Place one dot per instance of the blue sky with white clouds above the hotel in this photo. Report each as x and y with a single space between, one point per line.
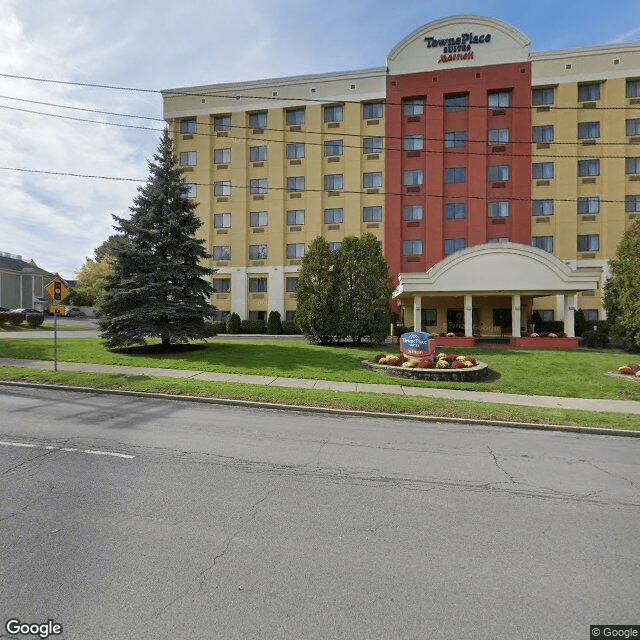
58 221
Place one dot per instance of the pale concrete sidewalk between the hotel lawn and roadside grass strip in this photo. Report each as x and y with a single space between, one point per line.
587 404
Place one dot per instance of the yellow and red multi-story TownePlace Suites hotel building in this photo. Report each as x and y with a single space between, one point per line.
498 179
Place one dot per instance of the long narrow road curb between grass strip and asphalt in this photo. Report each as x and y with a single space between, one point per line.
327 410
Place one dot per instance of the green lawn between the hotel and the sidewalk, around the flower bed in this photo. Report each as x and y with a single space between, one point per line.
570 373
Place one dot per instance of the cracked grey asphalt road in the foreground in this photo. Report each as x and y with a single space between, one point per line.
138 518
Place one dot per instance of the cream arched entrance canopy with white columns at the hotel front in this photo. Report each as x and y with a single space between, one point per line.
498 269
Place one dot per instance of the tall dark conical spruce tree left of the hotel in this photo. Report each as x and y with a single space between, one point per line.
159 287
